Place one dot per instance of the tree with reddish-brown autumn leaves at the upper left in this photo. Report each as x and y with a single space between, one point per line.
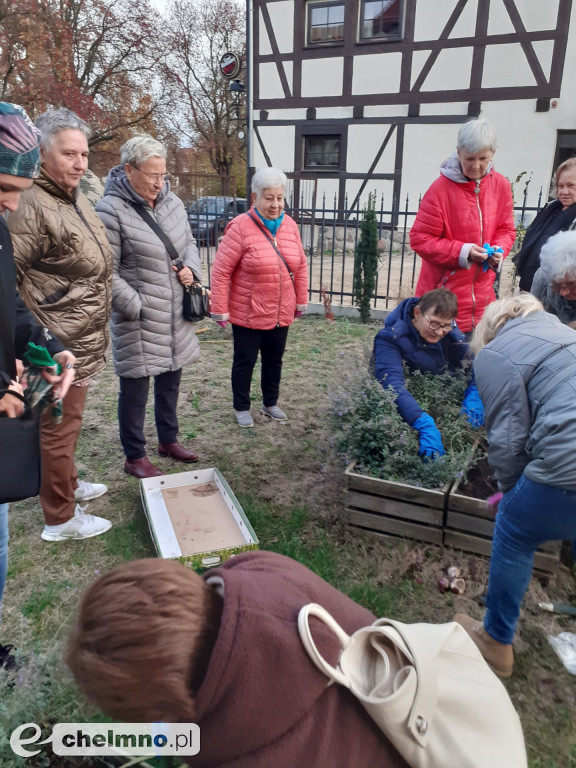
101 58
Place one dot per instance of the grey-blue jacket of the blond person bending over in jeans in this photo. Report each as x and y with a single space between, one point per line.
526 377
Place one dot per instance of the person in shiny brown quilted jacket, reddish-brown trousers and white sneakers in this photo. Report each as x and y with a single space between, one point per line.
64 268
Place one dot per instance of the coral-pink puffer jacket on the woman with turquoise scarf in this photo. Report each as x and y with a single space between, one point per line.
250 284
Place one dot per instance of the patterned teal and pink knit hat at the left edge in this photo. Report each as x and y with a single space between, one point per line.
19 143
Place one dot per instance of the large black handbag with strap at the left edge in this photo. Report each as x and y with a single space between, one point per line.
20 437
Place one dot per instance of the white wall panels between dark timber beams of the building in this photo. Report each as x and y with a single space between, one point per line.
527 139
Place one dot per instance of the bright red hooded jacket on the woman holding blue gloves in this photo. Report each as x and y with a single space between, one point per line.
456 212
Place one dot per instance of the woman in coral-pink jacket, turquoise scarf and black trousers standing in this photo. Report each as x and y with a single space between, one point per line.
259 284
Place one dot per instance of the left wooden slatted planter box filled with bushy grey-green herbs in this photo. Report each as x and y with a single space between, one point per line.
389 489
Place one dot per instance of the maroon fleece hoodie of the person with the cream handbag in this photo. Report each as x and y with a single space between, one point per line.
263 704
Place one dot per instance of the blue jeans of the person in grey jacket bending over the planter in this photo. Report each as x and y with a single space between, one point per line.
529 514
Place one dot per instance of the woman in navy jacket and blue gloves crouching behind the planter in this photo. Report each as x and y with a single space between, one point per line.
422 332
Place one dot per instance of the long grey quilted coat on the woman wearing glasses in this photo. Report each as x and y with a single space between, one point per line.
149 334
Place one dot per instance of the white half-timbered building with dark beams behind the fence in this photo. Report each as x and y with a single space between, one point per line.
365 95
